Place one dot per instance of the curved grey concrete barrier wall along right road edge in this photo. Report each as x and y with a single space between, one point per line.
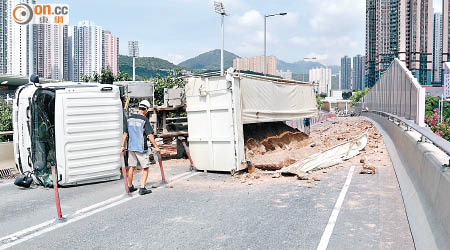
424 182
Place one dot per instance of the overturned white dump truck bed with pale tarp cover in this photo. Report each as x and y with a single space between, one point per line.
221 108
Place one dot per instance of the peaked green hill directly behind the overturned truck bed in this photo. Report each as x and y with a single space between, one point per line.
209 61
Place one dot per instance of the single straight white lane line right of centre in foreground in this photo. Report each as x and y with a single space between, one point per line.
337 207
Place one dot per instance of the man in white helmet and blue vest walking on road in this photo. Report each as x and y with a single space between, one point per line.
139 129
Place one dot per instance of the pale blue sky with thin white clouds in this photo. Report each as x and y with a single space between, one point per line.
177 30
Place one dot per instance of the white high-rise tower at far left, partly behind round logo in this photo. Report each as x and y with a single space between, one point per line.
19 43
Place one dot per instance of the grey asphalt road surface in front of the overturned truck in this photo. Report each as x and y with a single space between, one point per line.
212 211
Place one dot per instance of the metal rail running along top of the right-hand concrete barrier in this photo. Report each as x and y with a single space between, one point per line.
436 140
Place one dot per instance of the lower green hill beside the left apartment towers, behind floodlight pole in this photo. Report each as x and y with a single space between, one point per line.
146 67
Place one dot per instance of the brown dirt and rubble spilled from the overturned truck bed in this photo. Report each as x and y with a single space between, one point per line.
330 133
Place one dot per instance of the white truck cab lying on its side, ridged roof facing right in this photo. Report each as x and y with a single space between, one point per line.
76 127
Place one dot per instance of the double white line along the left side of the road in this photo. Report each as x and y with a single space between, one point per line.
45 227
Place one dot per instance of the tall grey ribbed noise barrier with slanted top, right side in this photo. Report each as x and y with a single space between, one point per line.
398 92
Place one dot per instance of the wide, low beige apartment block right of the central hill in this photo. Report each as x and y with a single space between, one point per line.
256 64
